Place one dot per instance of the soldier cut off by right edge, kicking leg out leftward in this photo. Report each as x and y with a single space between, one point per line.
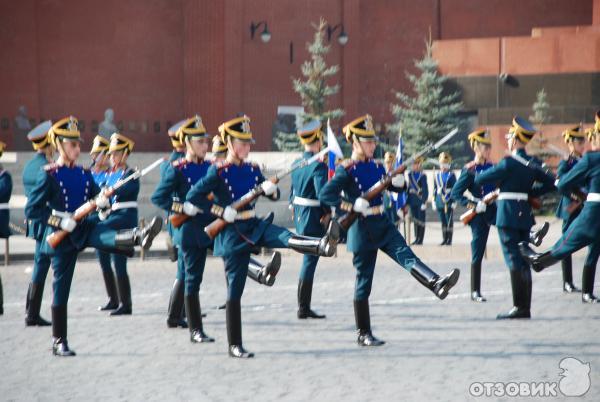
584 229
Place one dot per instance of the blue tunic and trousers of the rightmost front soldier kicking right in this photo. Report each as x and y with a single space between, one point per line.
371 233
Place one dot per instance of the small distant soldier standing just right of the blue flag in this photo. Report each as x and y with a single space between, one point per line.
418 194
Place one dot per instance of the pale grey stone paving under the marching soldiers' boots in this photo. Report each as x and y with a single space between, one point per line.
434 349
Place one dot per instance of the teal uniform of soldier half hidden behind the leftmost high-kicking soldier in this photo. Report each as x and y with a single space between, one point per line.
37 227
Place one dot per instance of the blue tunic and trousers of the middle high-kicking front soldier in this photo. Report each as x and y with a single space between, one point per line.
229 182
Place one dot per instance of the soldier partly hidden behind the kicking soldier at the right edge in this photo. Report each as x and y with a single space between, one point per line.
575 139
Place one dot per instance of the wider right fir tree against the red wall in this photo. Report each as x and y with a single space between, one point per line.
431 113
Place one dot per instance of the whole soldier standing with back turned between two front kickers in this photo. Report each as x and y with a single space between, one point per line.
307 182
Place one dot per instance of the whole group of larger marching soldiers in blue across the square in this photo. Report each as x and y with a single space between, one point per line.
203 191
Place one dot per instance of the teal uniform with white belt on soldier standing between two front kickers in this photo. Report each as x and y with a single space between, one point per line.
307 183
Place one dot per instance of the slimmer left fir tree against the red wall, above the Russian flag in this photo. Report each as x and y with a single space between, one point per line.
313 88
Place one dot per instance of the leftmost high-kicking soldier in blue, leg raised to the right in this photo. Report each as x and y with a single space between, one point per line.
64 187
